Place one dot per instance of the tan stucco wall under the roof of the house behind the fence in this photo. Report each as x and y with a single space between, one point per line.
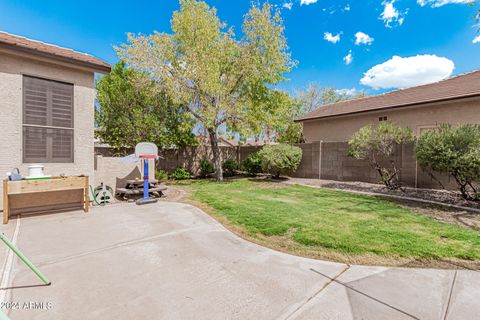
341 128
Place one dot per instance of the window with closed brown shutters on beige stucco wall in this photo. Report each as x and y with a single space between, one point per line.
47 121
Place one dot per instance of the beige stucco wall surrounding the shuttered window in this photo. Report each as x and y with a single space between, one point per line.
12 68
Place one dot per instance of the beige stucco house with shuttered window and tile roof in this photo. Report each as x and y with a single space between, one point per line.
47 107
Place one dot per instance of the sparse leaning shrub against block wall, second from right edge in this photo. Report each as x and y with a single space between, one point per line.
376 144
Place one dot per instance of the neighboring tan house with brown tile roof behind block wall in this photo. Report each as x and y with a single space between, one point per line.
455 101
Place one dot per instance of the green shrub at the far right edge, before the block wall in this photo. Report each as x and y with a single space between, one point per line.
454 151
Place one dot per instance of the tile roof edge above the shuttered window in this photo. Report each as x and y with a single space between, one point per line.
14 42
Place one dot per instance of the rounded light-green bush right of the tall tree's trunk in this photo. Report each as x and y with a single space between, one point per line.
280 159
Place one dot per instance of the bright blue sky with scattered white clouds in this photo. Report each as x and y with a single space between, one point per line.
440 33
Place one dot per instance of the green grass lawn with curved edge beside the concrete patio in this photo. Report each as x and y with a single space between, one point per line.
323 221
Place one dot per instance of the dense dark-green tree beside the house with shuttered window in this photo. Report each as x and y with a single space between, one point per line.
133 108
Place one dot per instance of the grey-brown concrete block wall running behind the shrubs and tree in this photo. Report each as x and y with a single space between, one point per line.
320 160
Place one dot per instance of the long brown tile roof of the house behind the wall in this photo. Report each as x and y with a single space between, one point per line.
461 86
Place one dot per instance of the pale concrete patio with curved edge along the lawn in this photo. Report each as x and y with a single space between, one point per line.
172 261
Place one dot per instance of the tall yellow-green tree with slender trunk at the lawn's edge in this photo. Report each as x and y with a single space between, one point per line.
221 78
